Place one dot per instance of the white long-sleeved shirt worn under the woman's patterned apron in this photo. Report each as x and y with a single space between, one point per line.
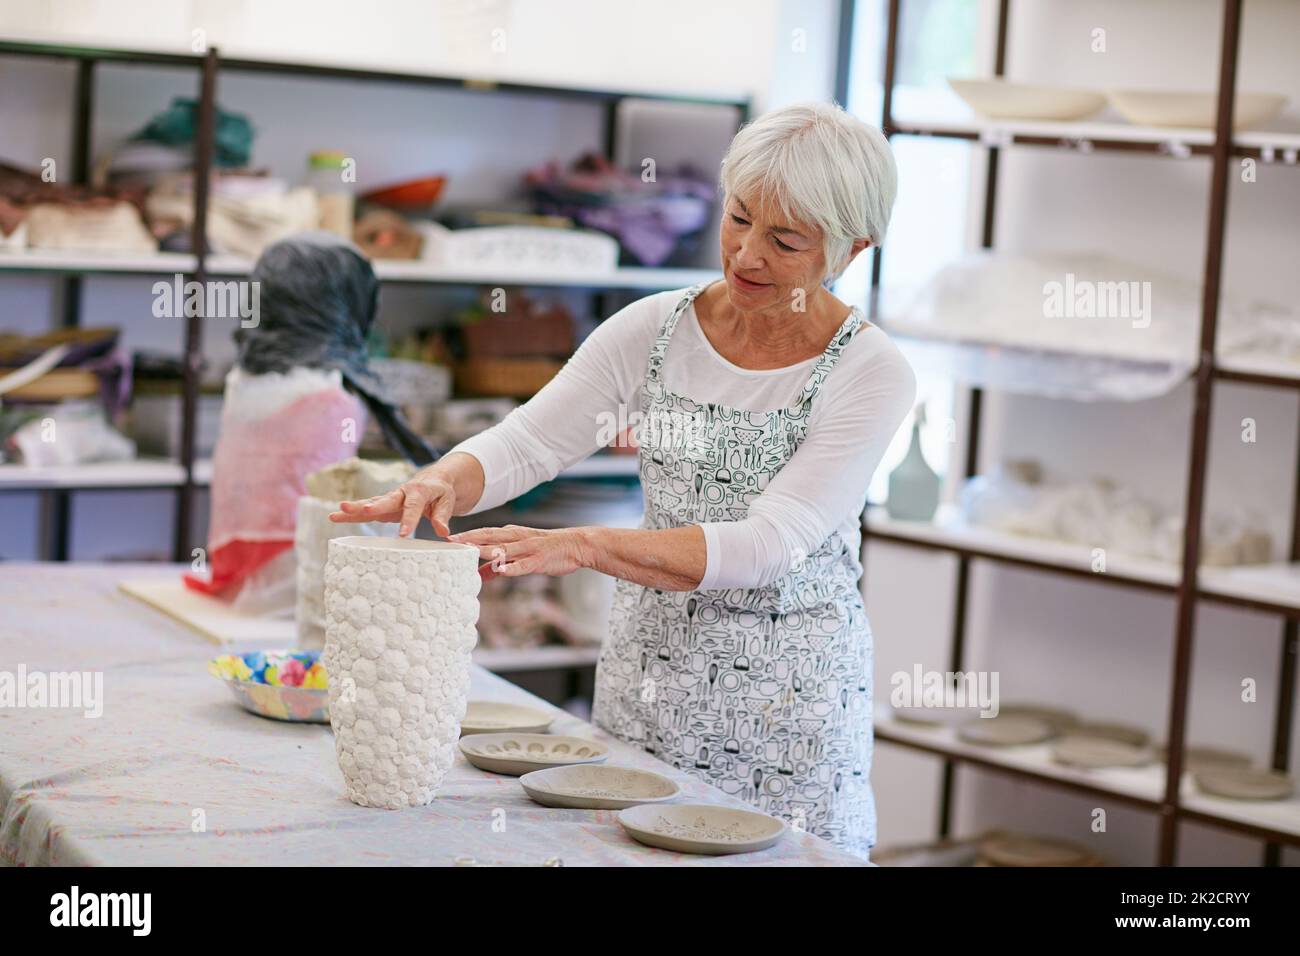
821 490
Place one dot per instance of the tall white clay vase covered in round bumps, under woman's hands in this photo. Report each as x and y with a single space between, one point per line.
400 625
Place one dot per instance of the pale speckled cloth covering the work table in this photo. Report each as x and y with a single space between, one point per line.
127 789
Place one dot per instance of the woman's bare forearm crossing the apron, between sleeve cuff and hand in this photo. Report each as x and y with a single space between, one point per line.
668 560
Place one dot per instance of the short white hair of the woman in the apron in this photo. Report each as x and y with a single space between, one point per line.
821 166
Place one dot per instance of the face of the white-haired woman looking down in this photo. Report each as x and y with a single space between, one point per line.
770 263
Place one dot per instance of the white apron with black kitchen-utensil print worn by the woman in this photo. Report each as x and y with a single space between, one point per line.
764 693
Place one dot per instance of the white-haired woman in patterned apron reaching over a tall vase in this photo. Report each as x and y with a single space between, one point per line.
739 648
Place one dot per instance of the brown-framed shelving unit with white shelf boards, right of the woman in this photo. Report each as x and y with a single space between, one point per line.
1276 590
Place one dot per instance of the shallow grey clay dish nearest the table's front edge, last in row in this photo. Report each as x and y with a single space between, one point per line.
701 828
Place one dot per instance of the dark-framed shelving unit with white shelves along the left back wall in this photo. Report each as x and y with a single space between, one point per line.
189 470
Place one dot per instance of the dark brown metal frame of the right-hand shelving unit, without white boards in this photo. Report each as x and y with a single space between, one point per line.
1221 150
